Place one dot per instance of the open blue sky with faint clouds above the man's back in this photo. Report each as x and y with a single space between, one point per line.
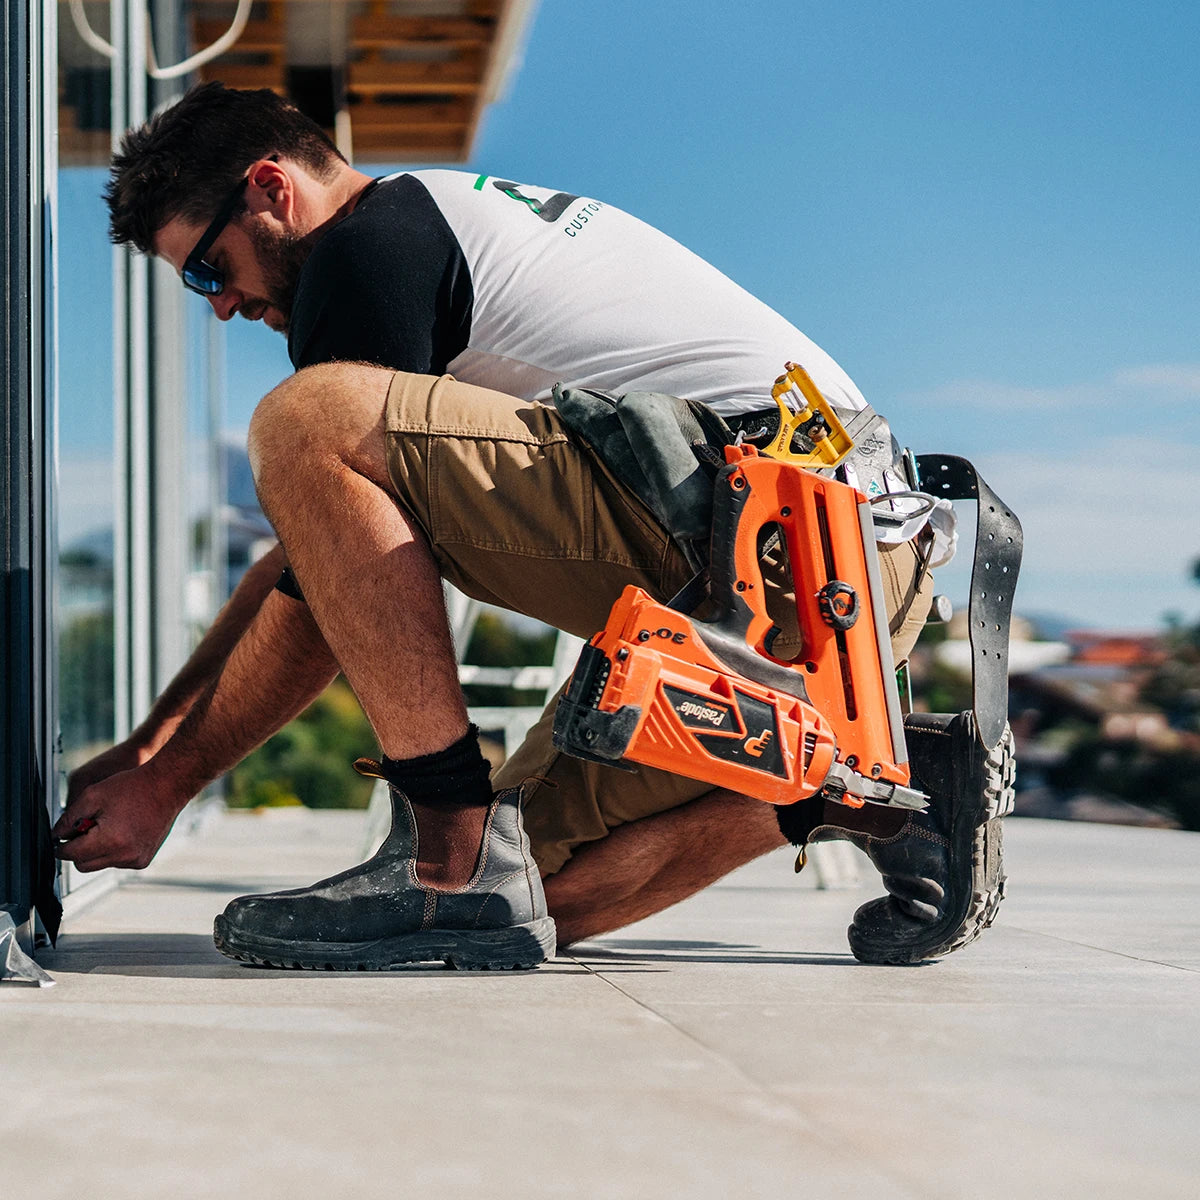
987 213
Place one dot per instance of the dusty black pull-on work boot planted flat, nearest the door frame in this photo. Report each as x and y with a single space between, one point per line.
379 915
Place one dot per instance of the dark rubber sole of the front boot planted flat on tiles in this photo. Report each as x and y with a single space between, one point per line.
519 949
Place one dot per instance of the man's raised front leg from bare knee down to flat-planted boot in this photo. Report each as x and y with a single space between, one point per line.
454 880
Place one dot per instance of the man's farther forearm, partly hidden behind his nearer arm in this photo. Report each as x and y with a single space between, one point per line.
194 680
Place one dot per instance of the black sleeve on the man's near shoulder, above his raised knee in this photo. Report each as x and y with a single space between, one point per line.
388 285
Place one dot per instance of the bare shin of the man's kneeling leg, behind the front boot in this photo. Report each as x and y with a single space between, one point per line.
647 866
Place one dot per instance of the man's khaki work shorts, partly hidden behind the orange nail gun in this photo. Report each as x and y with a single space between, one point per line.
523 515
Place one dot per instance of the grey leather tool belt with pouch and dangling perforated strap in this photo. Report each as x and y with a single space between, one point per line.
668 451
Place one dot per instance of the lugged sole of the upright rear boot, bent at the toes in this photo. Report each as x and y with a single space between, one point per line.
976 824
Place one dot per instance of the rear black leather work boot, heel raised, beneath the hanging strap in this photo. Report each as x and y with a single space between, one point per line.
944 868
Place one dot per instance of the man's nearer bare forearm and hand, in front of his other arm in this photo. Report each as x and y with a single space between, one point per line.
278 668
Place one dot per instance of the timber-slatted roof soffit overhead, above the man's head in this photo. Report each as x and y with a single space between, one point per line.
392 81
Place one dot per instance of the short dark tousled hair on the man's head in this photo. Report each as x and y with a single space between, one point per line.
188 159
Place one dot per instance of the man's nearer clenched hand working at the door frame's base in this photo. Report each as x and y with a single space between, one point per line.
119 821
